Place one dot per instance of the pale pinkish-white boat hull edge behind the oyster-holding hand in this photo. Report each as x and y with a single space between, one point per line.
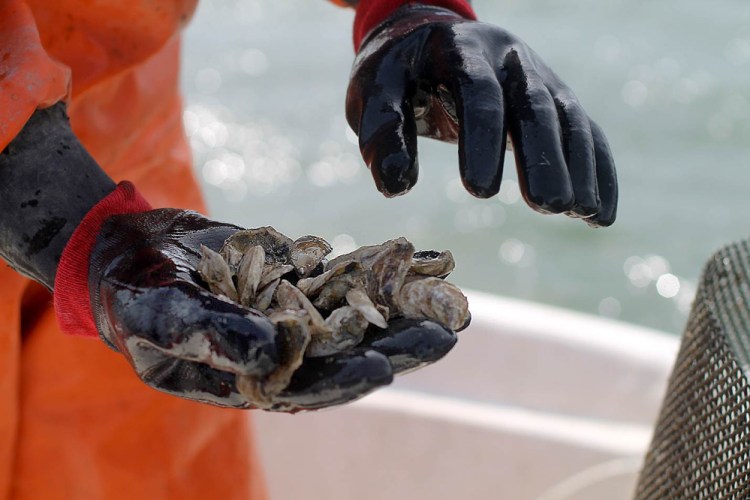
534 402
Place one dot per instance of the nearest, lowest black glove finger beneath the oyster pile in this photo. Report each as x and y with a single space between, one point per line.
334 380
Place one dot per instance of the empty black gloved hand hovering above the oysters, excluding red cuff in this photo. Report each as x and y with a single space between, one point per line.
428 71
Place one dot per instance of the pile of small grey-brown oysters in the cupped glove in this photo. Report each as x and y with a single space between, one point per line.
320 307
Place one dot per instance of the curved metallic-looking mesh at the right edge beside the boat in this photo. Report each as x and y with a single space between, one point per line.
701 444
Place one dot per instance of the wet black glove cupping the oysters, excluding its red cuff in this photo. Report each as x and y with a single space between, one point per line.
149 303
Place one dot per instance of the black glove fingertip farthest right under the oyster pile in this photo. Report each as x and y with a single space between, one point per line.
410 343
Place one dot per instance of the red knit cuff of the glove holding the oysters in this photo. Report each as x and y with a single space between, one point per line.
72 301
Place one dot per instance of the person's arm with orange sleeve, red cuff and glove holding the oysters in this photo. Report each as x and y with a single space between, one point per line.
126 273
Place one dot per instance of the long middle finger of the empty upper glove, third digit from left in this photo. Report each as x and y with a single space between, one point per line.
534 130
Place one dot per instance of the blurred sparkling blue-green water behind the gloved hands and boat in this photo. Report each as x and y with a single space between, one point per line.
669 80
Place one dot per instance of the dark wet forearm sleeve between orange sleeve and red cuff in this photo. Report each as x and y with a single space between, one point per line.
48 183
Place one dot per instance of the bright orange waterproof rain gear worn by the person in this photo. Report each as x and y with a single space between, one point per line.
76 422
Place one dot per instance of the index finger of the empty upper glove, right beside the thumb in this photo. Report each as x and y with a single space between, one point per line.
482 136
